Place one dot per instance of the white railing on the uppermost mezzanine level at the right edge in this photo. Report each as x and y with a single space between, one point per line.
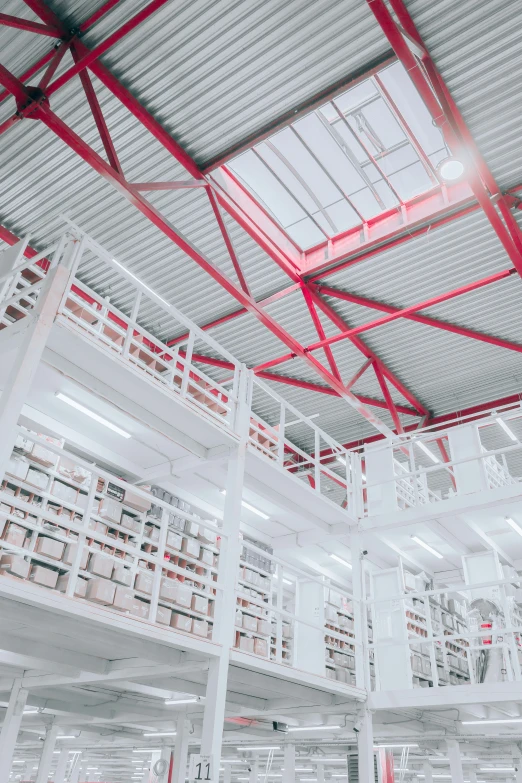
422 469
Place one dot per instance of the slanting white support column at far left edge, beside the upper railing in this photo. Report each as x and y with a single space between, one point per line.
27 357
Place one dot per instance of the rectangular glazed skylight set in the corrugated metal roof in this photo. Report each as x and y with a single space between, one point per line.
361 154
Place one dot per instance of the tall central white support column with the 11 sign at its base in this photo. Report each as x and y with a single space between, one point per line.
212 732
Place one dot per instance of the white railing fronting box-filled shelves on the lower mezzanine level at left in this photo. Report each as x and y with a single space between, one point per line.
69 526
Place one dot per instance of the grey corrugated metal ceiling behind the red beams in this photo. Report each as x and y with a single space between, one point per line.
213 73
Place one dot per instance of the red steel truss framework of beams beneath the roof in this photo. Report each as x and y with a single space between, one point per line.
422 214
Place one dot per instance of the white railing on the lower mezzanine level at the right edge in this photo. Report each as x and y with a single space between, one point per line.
445 639
